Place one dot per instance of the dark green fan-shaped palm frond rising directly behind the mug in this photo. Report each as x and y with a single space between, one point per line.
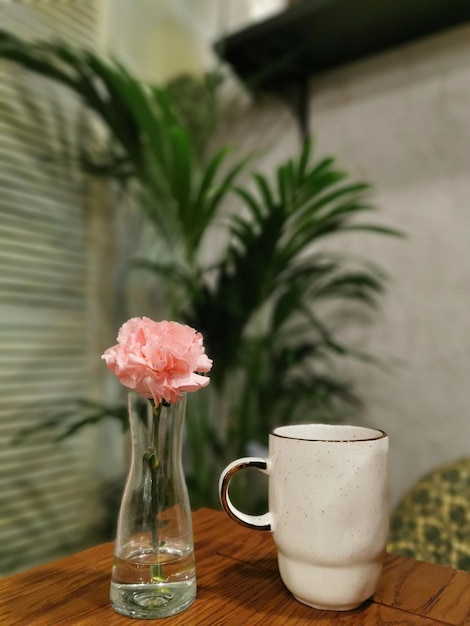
260 313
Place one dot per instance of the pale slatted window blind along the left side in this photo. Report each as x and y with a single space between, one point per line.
48 500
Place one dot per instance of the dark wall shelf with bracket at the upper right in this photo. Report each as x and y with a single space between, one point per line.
281 54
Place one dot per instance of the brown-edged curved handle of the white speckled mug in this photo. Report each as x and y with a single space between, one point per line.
257 522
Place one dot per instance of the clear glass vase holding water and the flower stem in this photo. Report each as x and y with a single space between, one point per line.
153 573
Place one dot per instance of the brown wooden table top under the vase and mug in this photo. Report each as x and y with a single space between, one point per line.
238 584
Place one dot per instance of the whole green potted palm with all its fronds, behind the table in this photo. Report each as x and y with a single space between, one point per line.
259 305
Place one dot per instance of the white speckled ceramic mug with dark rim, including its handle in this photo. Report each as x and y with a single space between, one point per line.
328 510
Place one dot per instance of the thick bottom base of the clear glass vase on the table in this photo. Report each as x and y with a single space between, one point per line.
152 601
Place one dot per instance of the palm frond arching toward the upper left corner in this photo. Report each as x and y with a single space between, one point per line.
149 136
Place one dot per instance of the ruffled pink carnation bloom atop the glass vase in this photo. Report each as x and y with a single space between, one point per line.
159 360
